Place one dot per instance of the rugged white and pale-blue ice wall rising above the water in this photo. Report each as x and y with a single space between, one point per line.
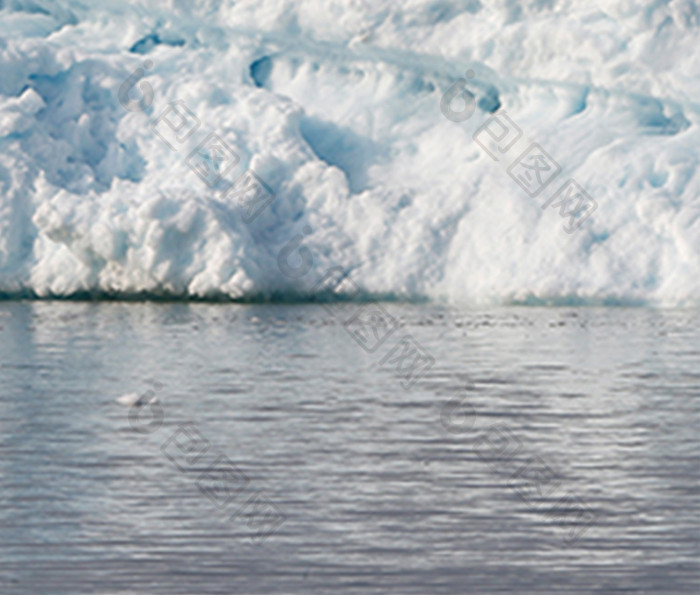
335 104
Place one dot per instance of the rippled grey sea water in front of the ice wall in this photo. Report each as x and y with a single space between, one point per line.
528 450
